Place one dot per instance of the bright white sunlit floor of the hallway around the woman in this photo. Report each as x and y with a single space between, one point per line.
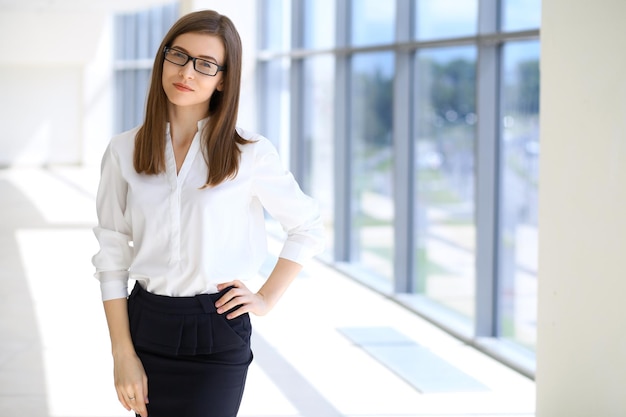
330 348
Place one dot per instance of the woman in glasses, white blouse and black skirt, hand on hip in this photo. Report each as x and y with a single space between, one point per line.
181 212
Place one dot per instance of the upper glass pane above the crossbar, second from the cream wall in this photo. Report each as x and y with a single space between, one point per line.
445 18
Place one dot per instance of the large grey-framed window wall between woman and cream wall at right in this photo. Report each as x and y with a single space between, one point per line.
415 124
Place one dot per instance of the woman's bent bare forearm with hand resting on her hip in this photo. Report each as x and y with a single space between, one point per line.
265 299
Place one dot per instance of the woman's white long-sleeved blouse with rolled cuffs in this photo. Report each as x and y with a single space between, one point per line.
176 239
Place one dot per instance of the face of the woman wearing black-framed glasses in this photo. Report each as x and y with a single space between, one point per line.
184 86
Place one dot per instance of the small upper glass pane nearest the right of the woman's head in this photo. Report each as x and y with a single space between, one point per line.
276 25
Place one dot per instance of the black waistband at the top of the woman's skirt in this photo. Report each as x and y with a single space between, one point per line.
201 303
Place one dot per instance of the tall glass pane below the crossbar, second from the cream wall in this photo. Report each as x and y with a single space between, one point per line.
444 154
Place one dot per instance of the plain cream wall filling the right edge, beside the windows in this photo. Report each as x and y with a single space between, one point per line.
581 348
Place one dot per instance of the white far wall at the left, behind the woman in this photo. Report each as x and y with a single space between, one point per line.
45 105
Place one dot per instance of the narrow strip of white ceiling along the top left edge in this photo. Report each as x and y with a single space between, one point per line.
76 5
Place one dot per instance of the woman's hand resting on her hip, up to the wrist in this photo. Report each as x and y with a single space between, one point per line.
240 295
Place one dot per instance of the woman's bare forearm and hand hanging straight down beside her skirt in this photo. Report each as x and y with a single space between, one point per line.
130 378
